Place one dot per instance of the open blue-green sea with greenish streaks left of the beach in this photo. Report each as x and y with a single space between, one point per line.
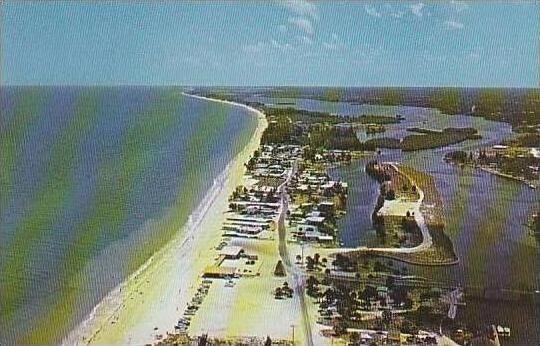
97 175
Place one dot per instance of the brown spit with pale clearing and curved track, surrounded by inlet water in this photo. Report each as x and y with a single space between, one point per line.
409 217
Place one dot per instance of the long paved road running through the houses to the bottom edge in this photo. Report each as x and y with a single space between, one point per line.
296 274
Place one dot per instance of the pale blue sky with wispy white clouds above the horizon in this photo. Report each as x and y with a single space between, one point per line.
382 43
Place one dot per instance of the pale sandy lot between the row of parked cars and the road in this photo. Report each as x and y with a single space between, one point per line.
249 308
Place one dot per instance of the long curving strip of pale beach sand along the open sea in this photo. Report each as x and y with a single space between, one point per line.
151 297
